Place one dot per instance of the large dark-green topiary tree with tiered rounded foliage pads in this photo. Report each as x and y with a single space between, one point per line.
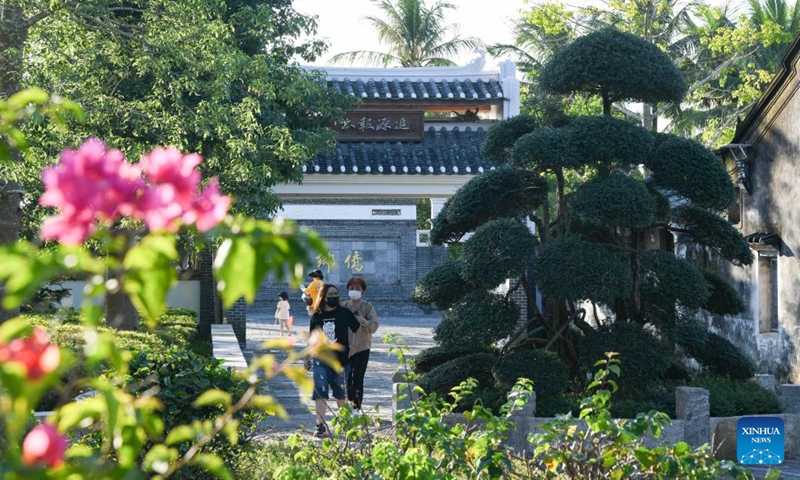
582 184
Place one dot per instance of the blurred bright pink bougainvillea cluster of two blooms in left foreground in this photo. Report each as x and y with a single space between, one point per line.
96 184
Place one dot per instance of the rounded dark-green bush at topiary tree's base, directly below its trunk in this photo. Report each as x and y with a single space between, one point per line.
548 373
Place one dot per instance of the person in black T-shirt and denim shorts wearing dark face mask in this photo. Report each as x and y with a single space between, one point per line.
336 323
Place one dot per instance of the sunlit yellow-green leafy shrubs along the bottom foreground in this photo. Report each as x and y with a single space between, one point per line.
430 441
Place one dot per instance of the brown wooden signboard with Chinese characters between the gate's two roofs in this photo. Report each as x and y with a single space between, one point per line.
381 125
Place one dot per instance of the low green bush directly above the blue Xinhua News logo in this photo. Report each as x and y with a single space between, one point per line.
730 398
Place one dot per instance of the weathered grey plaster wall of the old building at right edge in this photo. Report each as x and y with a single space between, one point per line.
771 206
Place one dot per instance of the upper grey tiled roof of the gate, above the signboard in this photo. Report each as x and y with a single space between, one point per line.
395 89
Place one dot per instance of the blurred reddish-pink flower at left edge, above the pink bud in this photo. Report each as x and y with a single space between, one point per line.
36 354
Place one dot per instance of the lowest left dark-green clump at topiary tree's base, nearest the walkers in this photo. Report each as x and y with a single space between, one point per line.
443 378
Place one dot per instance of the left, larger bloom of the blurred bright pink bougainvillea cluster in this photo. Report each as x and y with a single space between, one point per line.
90 184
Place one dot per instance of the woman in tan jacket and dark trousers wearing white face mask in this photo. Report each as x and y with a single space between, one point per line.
361 343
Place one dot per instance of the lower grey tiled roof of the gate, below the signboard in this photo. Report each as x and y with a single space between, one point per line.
442 152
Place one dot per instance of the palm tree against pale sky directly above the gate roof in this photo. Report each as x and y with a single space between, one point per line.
415 35
